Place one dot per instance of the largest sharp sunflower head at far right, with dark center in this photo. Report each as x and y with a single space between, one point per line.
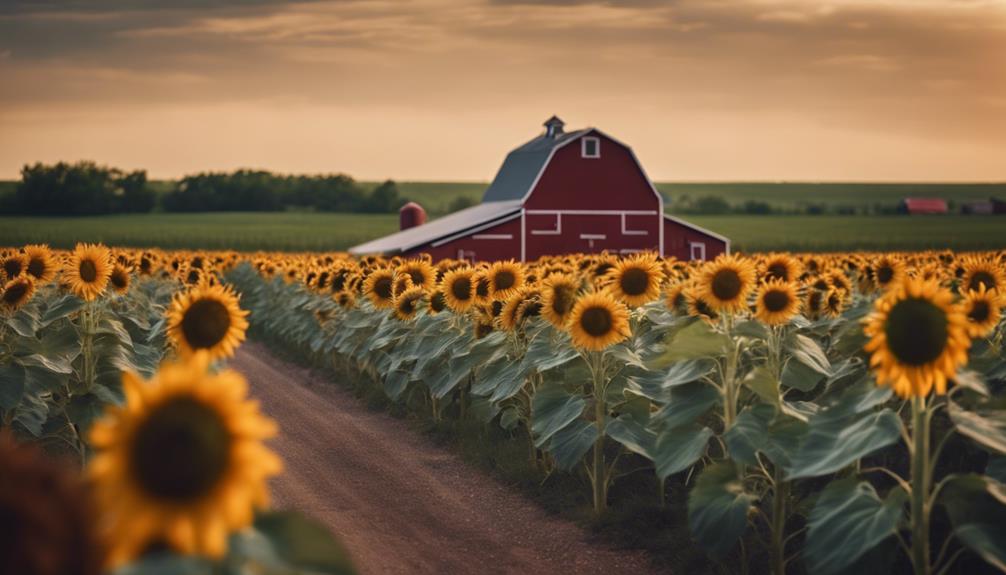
919 338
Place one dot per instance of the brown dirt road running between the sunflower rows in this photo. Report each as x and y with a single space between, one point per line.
400 503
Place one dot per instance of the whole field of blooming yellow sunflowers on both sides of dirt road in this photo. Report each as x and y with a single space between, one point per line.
824 414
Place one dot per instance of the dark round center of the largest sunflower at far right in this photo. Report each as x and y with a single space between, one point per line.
917 331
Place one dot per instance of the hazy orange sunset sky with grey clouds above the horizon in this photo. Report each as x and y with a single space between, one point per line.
442 90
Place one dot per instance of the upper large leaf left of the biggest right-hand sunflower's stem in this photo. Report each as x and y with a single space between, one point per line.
832 444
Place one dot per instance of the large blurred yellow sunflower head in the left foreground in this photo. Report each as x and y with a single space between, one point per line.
183 463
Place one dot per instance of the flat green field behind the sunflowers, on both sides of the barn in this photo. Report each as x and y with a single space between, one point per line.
291 232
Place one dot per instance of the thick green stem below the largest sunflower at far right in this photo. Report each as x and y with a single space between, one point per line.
921 485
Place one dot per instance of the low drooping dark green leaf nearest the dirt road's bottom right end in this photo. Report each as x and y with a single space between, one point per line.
718 509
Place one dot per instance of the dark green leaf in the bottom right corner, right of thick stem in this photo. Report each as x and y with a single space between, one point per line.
977 509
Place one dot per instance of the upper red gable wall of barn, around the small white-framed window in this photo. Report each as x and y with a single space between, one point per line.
612 182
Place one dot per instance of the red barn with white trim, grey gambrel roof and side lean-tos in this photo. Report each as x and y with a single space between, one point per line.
563 193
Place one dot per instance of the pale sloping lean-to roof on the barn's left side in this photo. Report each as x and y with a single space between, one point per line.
456 223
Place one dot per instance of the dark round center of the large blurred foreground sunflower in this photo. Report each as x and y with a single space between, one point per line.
181 452
